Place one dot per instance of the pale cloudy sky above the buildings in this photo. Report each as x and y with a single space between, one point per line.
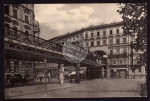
59 19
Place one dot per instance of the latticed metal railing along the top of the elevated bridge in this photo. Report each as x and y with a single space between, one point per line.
31 39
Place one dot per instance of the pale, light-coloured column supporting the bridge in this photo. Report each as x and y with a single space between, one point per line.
61 73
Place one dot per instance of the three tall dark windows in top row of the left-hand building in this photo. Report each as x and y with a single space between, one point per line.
15 12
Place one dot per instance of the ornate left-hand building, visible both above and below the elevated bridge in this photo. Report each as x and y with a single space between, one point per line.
20 18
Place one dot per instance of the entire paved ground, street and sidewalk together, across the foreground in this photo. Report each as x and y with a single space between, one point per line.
90 88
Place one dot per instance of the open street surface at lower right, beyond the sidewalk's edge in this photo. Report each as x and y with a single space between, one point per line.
94 88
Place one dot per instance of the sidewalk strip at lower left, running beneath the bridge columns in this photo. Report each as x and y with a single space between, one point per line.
17 91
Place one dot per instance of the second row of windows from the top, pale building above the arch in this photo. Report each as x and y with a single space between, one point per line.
104 42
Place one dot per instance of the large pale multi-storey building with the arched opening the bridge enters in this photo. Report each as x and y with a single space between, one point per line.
108 40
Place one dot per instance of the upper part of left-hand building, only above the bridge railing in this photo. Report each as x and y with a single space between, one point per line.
21 17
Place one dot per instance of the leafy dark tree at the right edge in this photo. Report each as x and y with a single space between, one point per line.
134 16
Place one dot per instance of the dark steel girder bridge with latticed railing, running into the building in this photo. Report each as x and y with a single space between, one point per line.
22 46
